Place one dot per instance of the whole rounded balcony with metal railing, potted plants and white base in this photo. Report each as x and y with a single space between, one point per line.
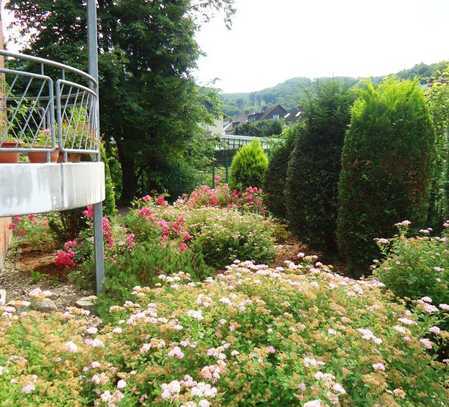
49 137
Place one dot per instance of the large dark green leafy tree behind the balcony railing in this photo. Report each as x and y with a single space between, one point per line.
150 105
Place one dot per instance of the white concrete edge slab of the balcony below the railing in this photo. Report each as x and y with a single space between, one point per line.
40 188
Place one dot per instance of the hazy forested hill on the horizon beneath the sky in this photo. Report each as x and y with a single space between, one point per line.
291 92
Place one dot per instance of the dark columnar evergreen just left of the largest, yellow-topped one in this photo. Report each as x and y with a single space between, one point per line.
315 165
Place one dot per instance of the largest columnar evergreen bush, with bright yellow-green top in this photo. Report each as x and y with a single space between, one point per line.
386 168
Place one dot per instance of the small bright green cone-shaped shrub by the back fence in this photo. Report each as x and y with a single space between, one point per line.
249 166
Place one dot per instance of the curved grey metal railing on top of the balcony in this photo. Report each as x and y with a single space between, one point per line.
53 108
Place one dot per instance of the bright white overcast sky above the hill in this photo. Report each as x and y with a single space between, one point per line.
274 40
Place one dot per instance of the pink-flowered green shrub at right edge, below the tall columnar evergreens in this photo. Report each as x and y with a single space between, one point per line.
416 267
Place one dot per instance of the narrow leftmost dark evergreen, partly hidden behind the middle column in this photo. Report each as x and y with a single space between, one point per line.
274 185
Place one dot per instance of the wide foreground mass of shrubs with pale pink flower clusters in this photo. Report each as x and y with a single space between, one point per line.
298 335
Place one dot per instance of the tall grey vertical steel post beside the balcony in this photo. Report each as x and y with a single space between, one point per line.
98 208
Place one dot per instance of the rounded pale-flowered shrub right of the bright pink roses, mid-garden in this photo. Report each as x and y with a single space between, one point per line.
225 235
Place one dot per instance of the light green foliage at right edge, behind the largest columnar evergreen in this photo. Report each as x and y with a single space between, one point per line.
438 101
